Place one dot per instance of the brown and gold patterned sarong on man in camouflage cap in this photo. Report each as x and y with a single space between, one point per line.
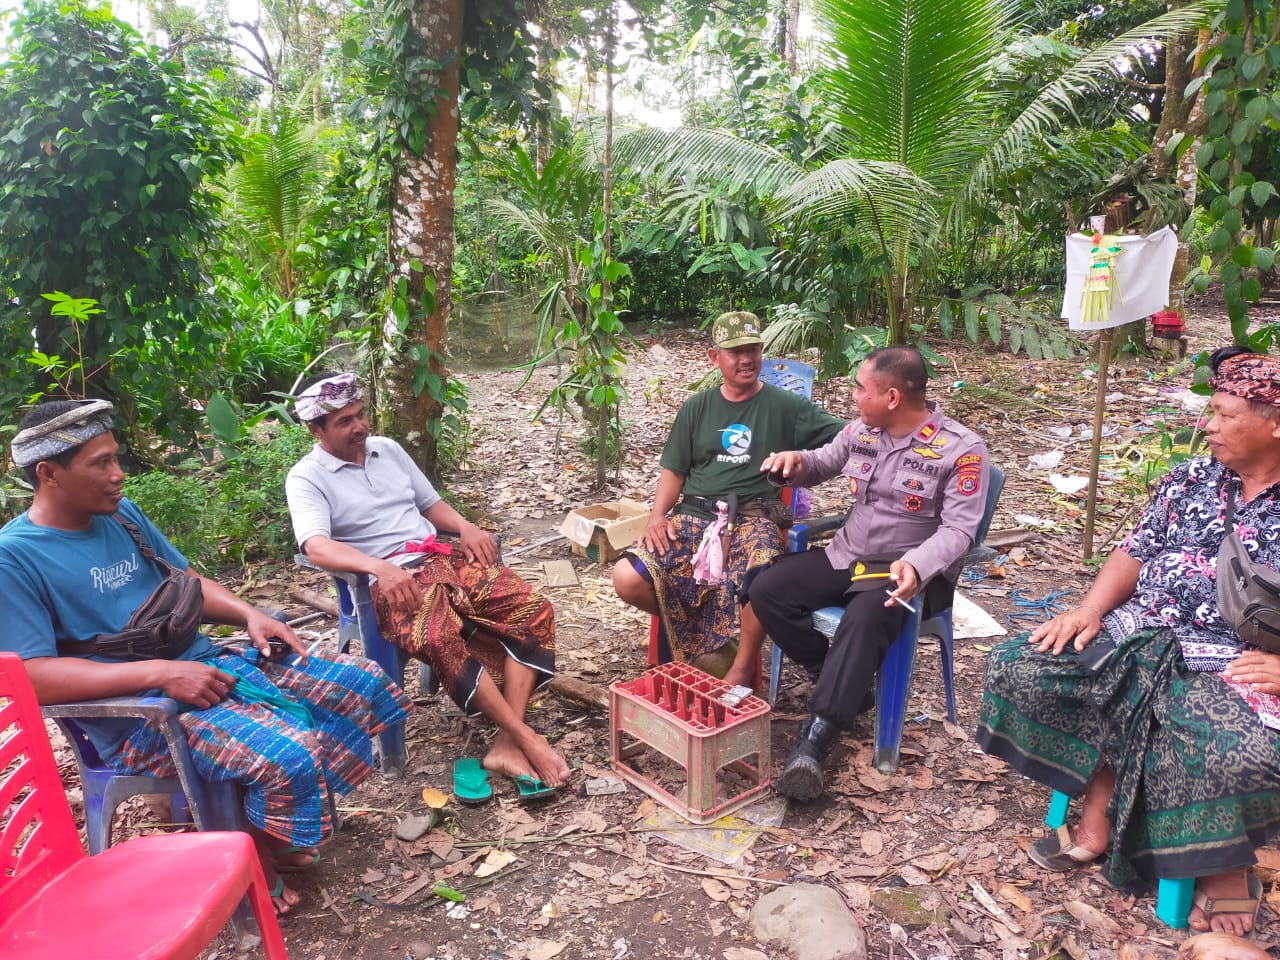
700 619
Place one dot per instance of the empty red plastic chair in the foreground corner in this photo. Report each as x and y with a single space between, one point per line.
162 897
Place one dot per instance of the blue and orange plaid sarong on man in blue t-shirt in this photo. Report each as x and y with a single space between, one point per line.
291 760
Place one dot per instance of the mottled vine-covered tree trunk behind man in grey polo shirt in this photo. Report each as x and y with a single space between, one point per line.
422 234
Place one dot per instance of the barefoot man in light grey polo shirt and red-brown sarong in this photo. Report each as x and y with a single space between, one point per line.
359 504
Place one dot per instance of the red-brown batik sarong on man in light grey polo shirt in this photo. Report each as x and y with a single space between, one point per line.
472 619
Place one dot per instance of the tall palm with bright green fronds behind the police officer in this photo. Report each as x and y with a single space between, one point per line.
908 90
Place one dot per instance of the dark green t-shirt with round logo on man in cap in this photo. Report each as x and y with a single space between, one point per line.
719 445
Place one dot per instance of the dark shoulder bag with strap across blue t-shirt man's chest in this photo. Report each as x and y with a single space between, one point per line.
167 623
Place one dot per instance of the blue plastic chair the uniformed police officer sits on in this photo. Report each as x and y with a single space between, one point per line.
894 680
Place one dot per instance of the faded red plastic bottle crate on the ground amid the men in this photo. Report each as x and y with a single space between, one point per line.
676 711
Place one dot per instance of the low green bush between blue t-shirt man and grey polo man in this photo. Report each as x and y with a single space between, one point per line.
232 513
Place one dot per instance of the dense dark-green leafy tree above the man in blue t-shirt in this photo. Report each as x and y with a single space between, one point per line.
104 150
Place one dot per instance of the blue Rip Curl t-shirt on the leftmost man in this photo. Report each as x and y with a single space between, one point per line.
76 584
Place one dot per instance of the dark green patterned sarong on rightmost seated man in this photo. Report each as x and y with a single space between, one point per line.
1197 774
